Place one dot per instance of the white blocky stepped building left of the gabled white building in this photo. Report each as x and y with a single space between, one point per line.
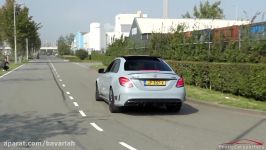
123 23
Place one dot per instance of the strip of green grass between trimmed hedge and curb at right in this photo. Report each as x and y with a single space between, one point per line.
215 97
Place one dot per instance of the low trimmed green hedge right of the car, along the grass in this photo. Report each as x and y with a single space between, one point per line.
247 80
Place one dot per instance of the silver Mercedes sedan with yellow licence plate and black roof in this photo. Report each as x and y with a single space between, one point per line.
140 81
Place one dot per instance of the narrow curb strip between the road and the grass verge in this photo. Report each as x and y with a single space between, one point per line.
231 108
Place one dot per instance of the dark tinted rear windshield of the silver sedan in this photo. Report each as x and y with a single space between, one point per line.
142 64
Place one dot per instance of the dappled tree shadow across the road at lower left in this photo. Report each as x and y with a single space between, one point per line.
35 128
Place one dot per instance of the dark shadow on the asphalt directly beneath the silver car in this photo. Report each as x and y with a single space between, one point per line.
149 111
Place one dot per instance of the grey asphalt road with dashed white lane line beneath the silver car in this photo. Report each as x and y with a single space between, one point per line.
50 101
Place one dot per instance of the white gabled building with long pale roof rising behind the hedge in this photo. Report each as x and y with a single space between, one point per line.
142 28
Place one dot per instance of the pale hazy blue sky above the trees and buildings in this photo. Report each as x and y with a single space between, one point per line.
61 17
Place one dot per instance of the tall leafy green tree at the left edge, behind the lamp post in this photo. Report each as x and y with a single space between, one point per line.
25 25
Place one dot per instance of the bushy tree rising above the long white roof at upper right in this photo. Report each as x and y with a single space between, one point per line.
207 10
